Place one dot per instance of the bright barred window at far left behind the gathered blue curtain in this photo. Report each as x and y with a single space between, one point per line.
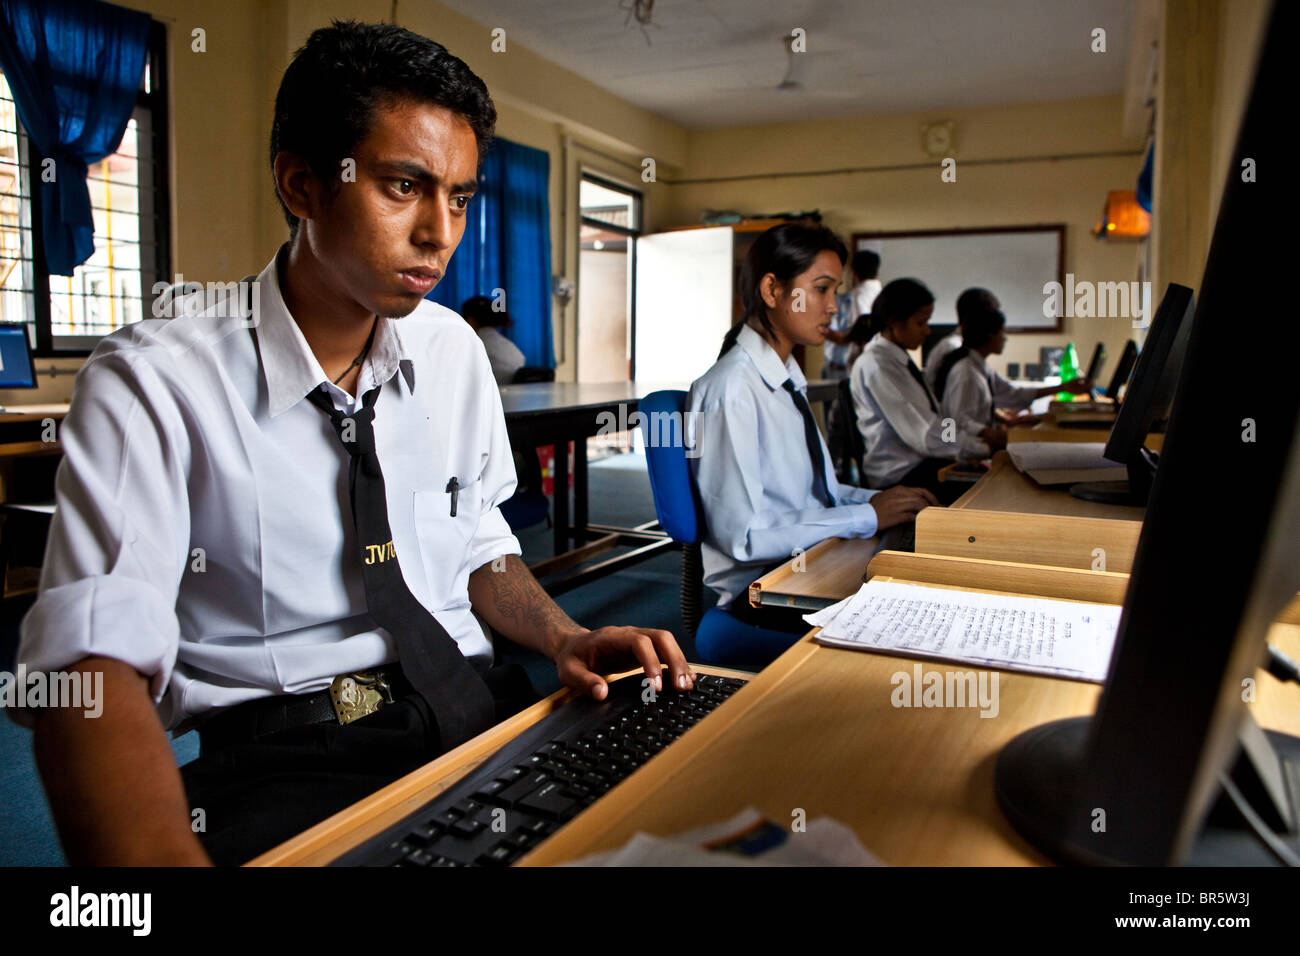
67 315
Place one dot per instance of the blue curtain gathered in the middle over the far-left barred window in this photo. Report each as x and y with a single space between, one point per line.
75 68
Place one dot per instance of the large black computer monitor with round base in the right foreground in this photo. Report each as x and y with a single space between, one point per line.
1160 773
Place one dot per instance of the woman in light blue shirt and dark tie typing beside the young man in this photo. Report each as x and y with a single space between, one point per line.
765 475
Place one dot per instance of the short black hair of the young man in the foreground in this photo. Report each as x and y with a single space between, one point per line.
327 98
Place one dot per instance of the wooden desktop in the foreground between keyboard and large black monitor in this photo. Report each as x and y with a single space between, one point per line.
817 732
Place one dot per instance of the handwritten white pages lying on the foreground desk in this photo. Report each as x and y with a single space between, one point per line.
1034 635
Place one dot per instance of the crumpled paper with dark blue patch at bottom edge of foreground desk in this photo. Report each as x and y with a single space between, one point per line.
747 840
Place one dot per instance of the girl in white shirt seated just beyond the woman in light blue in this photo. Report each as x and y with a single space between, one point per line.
907 439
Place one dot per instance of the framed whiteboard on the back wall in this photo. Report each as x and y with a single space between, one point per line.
1013 263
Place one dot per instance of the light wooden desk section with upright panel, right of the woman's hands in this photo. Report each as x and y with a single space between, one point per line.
1007 517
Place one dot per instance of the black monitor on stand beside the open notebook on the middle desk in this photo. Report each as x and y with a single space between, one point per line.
1151 392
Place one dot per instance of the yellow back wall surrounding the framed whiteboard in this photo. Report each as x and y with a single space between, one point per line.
1013 168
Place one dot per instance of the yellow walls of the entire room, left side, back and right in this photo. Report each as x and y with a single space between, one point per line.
227 223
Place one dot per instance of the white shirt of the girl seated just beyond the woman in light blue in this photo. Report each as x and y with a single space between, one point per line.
899 429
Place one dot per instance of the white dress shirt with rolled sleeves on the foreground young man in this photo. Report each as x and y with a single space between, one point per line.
205 533
